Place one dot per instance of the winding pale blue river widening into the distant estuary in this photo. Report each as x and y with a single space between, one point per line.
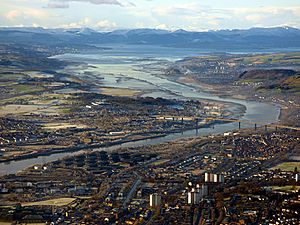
139 68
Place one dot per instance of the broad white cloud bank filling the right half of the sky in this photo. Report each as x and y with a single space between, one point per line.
196 16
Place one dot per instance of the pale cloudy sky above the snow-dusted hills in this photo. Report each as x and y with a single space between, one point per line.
106 15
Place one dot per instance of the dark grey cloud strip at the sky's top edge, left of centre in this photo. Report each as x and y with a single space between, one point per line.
62 4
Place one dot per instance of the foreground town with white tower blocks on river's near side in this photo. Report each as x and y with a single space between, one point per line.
240 178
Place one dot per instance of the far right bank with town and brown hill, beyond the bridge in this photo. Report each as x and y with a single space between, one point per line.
268 77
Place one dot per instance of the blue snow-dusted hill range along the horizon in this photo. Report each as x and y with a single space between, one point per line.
254 38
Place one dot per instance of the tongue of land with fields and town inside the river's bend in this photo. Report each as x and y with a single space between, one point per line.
48 112
